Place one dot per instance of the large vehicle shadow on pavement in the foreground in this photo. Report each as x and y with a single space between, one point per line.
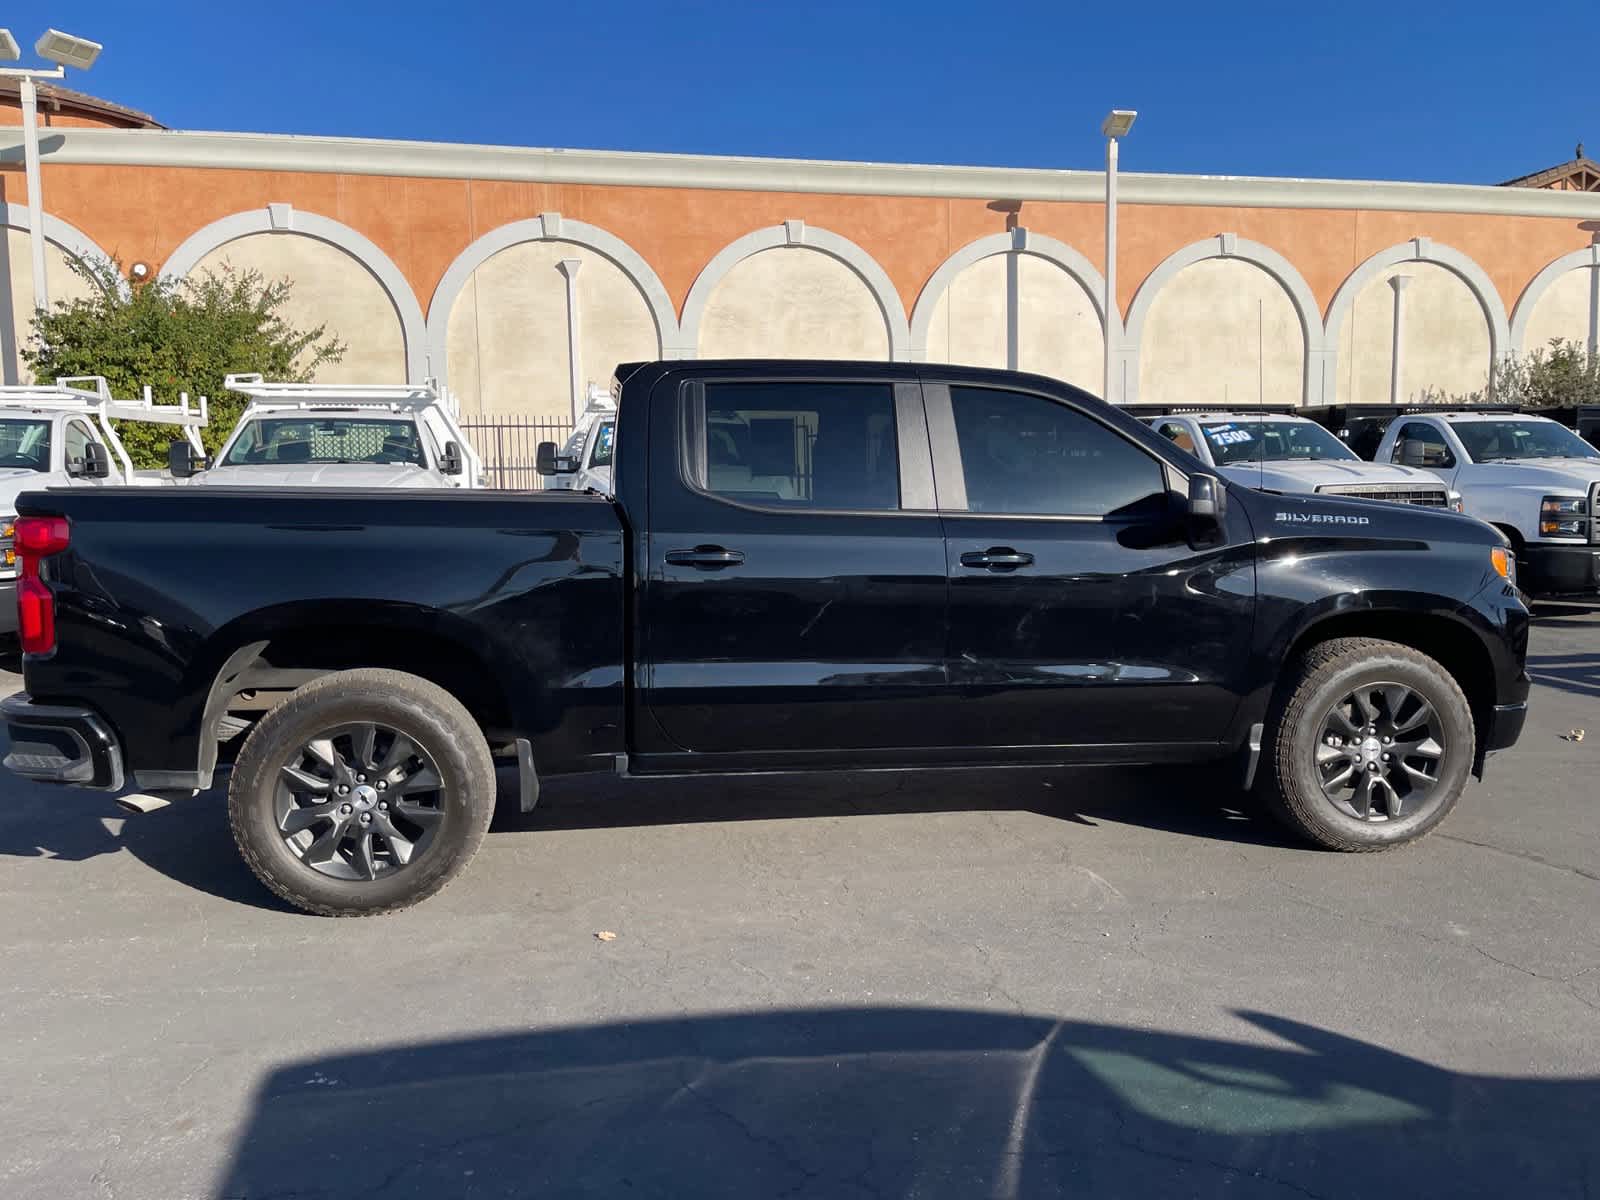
906 1103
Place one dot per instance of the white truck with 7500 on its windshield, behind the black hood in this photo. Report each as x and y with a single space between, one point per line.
1274 452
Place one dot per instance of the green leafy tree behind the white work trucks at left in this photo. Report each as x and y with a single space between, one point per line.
177 337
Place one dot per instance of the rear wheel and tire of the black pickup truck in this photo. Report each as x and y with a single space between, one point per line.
303 753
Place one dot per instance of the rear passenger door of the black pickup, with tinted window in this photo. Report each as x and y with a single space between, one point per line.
796 593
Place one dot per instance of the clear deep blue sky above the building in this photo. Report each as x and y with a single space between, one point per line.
1465 92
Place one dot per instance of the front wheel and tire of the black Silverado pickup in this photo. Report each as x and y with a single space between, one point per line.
1298 754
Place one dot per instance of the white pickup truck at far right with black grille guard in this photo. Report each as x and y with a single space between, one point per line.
1530 478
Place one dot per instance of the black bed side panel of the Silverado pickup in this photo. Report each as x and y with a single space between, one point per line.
522 596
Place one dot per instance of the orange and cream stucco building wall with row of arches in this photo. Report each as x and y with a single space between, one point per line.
1228 289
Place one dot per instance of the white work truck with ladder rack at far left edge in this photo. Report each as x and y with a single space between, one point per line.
63 438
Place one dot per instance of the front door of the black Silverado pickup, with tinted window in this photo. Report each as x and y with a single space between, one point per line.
1079 612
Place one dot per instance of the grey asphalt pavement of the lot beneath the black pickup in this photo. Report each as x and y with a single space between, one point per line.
980 985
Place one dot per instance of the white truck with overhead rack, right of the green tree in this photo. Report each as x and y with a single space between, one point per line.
330 436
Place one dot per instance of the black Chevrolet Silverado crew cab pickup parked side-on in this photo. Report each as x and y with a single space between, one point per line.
806 567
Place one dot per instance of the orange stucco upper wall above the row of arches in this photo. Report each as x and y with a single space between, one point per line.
145 214
